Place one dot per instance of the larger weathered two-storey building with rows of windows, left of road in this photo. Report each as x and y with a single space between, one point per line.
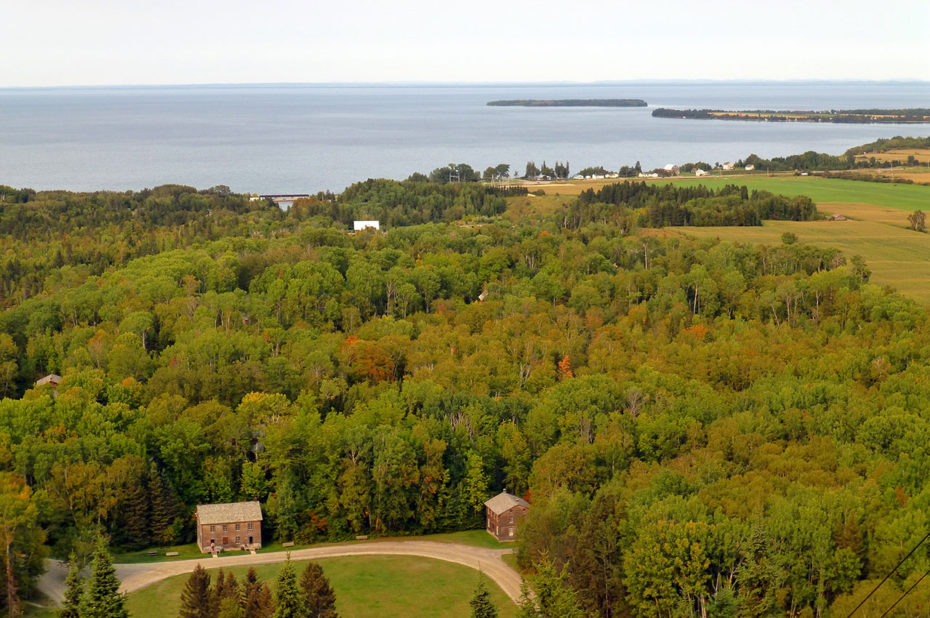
237 525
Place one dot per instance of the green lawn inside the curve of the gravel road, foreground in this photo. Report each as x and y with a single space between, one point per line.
365 586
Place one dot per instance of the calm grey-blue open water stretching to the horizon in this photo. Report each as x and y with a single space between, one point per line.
308 138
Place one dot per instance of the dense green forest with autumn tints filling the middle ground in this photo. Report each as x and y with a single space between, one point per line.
701 427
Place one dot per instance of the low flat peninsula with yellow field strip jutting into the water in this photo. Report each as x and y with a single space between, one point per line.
853 116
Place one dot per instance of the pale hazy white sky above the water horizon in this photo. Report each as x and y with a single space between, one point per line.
66 42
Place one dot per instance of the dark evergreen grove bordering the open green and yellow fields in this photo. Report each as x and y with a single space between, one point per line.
672 205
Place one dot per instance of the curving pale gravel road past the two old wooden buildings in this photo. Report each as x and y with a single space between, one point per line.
140 575
